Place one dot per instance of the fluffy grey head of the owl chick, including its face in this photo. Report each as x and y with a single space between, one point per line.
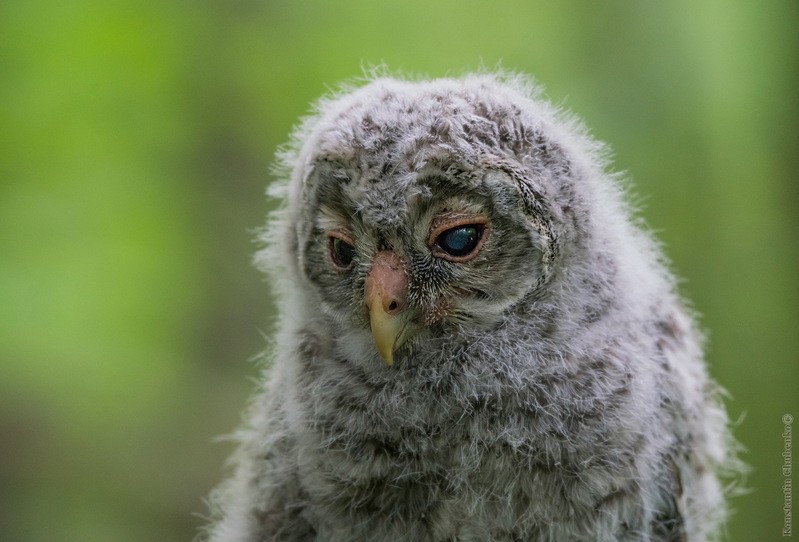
424 214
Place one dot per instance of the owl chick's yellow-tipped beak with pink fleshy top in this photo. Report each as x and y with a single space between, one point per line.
385 294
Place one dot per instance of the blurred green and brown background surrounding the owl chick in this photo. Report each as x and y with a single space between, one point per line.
135 145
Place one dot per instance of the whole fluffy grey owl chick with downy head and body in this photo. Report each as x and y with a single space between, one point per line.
476 342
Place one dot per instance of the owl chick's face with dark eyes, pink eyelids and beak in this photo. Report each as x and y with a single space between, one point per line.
426 256
